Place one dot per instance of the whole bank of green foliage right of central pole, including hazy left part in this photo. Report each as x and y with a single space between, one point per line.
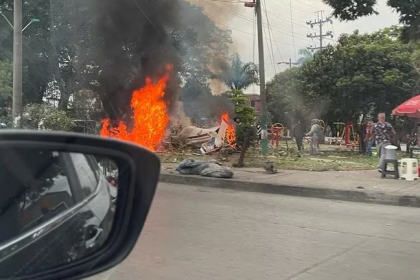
362 74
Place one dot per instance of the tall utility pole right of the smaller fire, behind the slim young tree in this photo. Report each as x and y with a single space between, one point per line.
263 98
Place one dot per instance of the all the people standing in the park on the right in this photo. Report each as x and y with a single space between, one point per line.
380 134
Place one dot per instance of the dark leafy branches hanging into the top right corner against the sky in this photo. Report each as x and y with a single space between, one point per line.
352 9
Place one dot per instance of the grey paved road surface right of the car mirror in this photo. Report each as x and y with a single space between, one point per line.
201 233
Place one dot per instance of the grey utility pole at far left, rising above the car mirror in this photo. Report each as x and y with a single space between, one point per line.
17 64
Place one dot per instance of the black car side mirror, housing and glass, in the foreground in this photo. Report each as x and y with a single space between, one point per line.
60 216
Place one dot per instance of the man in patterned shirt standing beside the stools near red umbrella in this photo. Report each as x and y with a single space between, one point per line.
384 134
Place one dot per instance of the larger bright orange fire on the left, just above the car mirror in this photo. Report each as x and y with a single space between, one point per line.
149 116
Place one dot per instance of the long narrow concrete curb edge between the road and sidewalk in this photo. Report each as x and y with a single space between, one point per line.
293 190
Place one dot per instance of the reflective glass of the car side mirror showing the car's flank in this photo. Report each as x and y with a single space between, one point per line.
55 208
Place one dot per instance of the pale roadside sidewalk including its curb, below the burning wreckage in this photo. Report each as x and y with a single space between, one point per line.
358 186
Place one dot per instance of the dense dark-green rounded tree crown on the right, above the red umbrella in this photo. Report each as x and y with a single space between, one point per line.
363 73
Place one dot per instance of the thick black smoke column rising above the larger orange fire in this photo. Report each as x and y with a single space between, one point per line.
132 40
